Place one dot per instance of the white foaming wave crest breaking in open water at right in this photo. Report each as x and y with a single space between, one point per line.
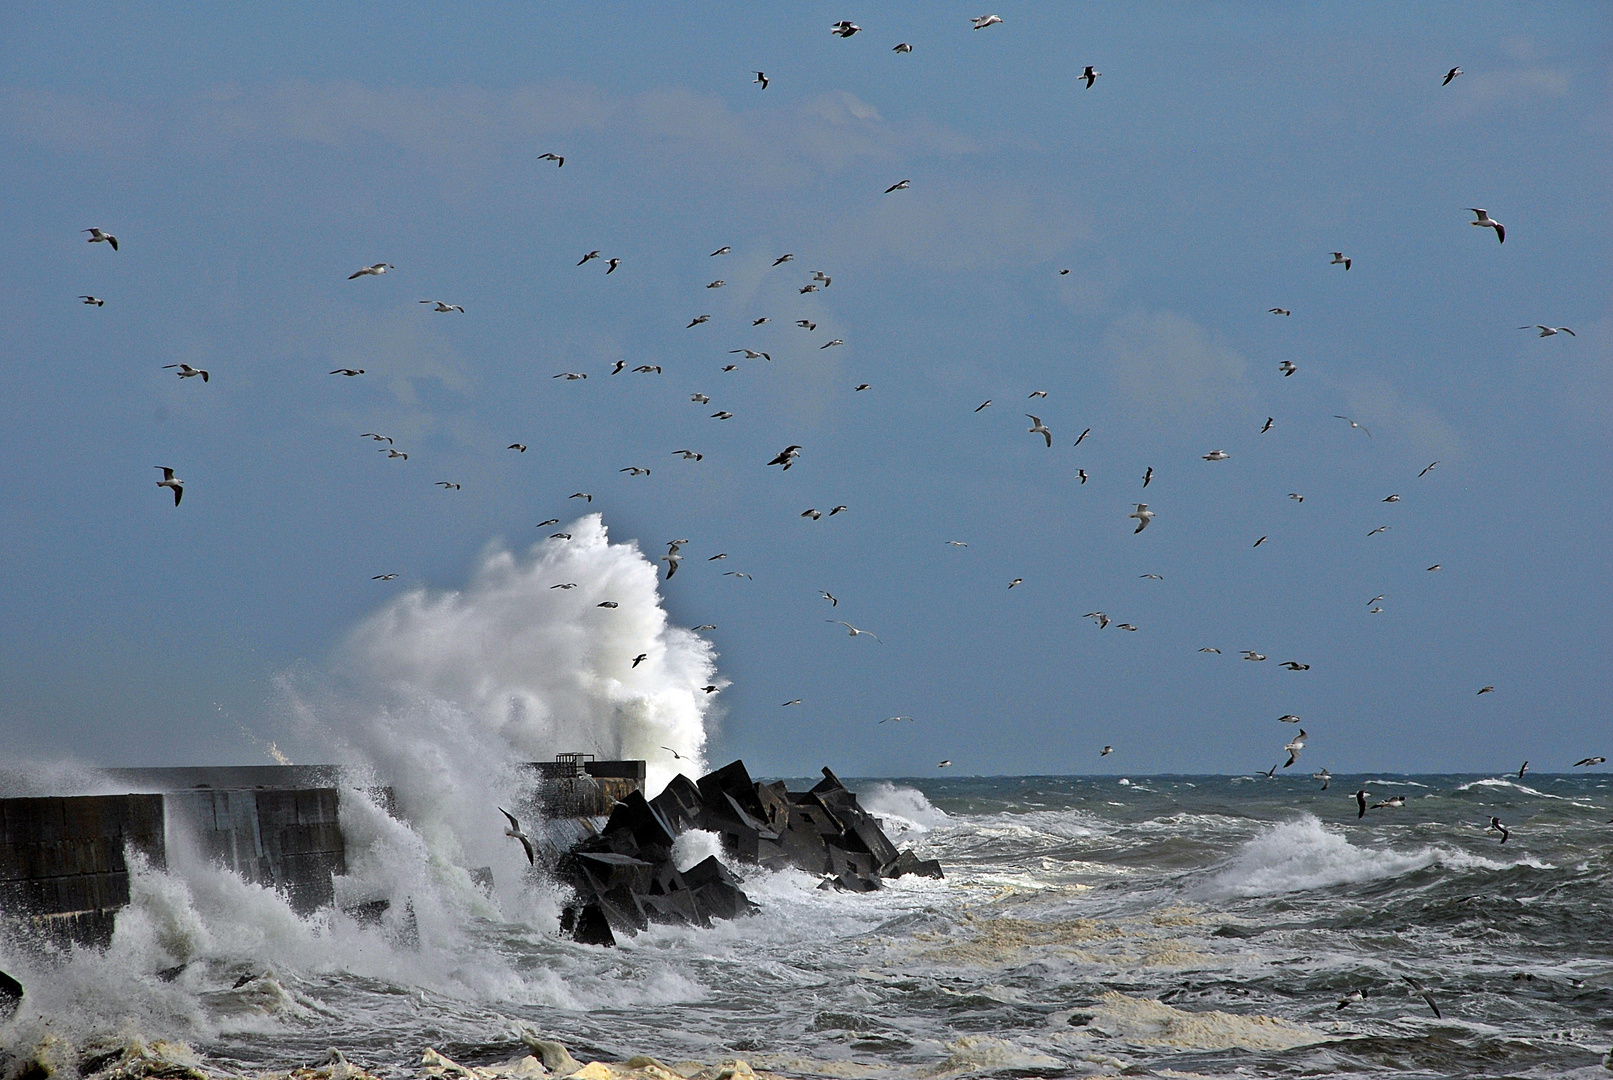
1301 855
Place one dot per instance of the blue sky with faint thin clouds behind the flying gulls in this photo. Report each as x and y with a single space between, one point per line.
251 157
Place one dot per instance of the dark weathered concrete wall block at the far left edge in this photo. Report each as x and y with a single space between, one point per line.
64 874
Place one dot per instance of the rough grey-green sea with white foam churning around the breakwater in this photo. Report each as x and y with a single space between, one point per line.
1215 926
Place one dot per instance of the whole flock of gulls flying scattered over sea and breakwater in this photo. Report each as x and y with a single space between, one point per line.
790 455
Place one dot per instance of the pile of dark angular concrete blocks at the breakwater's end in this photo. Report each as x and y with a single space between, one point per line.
625 878
